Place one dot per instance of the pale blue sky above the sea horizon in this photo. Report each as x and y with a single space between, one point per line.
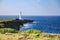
30 7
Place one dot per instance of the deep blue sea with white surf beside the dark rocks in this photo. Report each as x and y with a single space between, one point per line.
48 24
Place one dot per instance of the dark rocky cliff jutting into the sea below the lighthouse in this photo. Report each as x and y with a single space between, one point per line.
14 23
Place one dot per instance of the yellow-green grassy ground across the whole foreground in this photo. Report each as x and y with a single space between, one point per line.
31 34
